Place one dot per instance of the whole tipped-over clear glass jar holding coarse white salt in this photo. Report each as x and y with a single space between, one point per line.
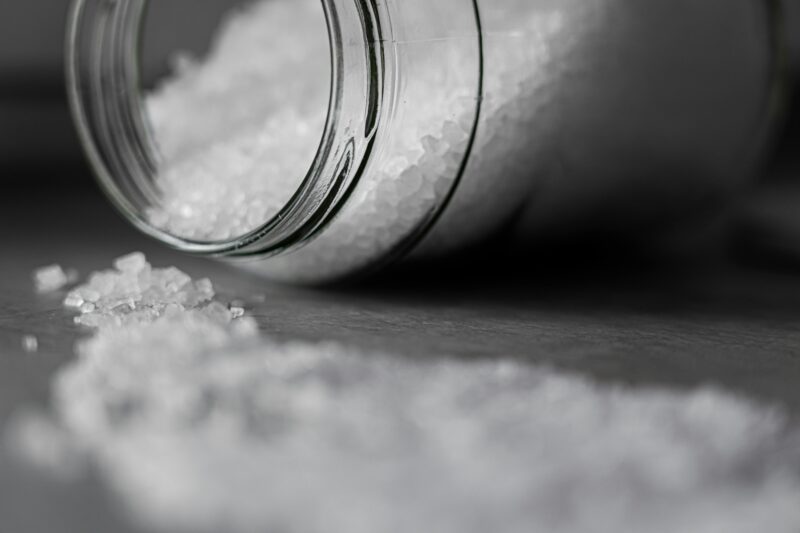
448 122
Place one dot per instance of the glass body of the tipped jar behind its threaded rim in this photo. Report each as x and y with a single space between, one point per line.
533 114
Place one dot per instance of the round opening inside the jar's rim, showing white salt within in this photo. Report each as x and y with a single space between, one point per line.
235 130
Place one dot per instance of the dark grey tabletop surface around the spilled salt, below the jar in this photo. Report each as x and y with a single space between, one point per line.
695 324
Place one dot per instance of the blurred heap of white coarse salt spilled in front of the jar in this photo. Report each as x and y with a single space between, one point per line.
200 424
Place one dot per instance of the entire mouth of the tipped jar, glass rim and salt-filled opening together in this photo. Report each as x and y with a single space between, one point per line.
249 149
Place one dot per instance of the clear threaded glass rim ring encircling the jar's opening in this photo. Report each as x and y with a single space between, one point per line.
106 96
